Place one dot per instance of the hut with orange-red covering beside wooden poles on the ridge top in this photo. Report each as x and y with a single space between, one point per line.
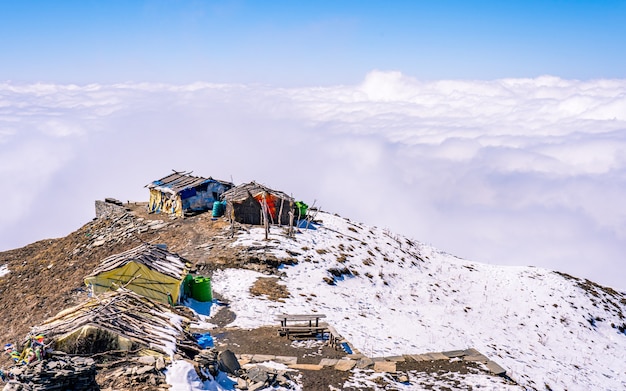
246 203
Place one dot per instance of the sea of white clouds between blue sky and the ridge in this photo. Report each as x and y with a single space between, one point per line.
509 171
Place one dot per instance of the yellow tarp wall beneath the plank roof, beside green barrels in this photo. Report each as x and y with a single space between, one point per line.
145 281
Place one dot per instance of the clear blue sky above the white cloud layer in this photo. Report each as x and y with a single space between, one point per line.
308 43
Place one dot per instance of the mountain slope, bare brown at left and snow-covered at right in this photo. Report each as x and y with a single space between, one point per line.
384 293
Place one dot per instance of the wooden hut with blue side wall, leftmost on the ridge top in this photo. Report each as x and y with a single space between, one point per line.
181 193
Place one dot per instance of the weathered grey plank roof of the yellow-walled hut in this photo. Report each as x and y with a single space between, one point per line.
154 257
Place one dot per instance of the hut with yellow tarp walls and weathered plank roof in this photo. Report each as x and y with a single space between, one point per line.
148 270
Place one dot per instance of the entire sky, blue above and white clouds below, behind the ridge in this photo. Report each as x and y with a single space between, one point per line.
495 131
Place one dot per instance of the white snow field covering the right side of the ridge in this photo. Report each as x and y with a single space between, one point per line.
396 296
